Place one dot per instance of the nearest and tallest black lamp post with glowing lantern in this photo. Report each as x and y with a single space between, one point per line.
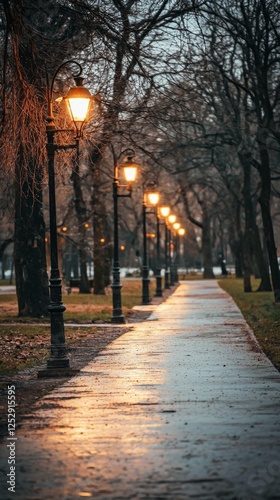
78 102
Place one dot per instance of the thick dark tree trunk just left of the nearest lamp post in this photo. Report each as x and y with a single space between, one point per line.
29 246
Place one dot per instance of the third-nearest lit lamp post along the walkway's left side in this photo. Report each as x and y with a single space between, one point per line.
150 199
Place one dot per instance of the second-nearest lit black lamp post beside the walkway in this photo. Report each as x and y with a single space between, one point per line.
130 172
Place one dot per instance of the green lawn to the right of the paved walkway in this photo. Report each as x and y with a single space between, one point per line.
261 314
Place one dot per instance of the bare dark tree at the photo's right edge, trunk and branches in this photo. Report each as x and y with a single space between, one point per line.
249 32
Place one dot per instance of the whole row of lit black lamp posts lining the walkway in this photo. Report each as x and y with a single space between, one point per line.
79 100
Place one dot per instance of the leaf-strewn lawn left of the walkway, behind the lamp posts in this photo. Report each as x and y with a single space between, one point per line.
24 342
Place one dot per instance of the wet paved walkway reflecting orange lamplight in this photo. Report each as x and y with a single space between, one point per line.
183 406
